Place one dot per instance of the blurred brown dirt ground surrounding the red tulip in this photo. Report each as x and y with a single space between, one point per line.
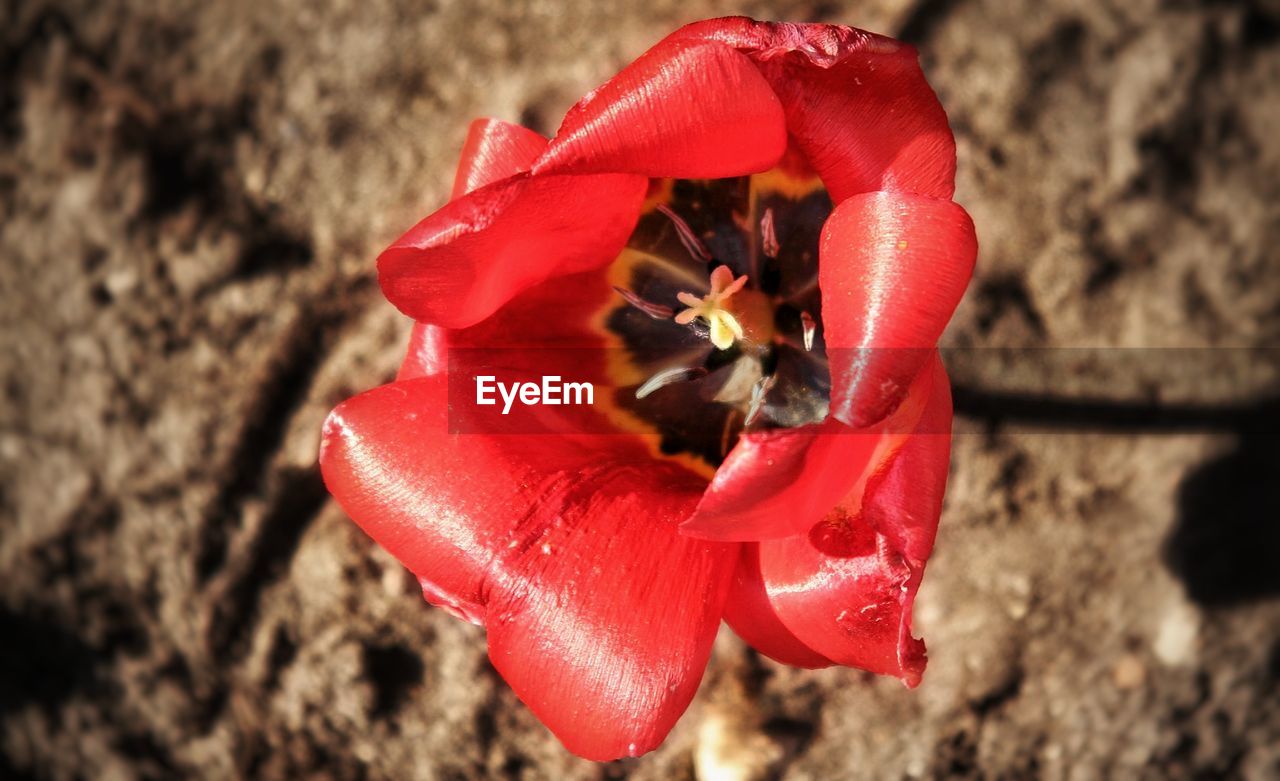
191 199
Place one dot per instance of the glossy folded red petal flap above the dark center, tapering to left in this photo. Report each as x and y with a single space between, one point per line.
687 109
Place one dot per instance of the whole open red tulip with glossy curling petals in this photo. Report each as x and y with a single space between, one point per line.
799 504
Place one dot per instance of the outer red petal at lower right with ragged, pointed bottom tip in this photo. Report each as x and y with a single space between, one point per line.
848 588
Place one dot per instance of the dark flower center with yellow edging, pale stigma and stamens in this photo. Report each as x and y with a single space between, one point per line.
719 314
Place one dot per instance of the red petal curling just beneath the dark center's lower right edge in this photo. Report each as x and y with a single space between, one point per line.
781 483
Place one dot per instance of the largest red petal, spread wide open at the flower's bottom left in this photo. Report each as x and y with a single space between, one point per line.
601 615
